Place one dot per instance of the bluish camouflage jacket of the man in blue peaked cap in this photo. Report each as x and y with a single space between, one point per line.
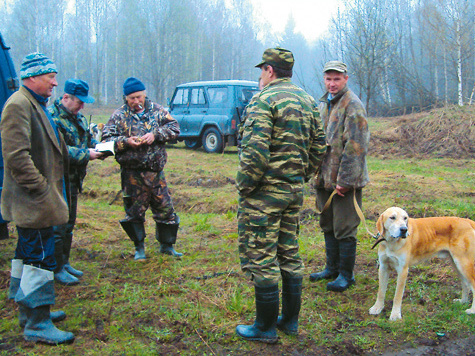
77 138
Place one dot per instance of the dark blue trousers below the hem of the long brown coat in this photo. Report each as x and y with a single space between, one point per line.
36 247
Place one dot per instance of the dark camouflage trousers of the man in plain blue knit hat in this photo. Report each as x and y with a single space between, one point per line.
142 189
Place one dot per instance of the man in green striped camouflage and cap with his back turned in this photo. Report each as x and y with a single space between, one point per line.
281 148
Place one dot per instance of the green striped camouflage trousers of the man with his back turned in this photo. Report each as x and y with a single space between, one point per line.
268 227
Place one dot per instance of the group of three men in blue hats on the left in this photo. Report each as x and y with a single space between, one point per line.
46 151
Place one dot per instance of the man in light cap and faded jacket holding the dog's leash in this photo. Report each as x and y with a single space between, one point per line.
343 170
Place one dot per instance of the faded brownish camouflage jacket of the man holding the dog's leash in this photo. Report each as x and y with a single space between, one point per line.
347 138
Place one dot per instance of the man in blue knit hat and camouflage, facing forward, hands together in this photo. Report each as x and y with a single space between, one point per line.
140 129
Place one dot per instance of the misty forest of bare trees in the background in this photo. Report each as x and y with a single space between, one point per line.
403 55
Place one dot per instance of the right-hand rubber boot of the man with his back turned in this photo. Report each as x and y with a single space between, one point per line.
288 322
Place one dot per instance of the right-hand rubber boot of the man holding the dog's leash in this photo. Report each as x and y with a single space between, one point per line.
347 264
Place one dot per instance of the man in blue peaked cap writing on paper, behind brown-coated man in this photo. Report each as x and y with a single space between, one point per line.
73 125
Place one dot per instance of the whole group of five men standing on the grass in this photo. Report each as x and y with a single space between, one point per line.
285 140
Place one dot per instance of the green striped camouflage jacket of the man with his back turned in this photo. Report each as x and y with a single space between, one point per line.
282 140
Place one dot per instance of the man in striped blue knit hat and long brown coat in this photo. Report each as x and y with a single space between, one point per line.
34 197
